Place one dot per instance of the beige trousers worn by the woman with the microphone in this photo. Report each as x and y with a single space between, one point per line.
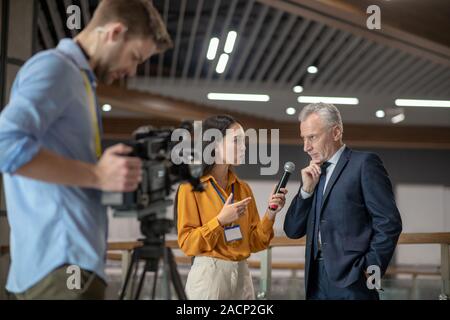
216 279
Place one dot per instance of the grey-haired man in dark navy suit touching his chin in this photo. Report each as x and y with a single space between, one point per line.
346 209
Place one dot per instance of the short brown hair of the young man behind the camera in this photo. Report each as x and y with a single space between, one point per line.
139 16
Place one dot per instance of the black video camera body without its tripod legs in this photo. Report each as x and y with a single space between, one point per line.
150 201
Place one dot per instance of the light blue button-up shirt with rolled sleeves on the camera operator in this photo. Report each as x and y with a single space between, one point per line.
51 224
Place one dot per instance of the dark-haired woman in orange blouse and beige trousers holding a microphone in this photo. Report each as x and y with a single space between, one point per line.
221 226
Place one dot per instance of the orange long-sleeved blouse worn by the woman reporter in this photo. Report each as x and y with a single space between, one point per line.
199 231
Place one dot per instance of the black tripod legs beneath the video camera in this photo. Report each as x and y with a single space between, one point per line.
152 252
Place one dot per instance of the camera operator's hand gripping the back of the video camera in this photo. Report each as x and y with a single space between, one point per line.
117 172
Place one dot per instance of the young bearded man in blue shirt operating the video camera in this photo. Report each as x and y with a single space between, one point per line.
51 157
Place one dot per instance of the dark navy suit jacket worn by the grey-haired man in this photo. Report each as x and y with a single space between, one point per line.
360 223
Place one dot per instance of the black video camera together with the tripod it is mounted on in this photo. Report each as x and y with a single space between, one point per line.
162 168
